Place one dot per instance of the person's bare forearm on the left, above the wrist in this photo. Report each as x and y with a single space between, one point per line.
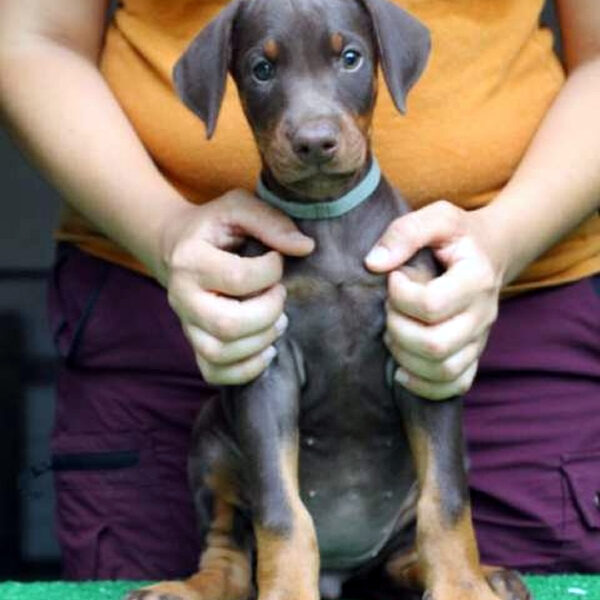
63 113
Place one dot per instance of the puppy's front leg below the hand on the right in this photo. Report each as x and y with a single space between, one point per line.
447 557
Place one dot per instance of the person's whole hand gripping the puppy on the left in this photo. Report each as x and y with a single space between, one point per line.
230 307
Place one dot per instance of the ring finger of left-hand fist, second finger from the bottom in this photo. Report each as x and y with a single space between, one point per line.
219 353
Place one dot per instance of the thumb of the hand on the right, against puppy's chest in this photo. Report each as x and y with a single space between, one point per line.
433 225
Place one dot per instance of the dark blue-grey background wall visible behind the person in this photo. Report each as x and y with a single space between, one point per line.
29 208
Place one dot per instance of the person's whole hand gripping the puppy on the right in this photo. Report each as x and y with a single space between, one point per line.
437 330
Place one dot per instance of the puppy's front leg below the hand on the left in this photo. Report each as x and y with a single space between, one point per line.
267 429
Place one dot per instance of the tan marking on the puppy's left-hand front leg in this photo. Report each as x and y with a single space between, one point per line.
288 565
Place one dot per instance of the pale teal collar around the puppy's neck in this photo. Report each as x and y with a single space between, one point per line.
325 210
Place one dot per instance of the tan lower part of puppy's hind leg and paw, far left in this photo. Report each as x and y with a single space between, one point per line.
225 571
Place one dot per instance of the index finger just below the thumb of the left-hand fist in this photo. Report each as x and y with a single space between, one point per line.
234 275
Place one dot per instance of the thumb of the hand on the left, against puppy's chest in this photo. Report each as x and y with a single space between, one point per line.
265 223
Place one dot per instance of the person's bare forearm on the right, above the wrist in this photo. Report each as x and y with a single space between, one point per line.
557 184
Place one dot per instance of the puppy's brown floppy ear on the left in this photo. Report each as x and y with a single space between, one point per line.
200 74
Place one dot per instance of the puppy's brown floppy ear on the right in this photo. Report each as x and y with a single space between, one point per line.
403 44
